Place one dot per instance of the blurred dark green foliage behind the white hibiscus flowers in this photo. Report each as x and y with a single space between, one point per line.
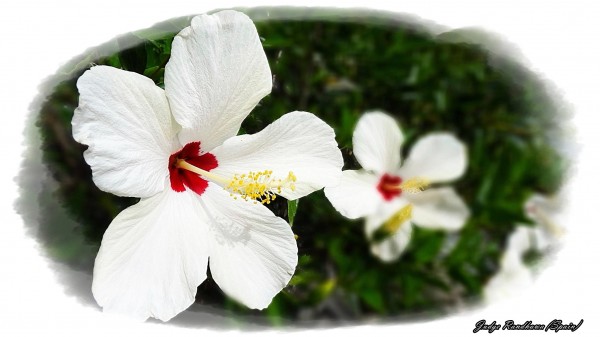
339 66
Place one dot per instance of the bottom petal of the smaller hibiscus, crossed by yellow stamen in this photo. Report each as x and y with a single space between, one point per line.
390 248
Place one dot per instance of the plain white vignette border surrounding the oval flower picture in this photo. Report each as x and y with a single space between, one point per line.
554 39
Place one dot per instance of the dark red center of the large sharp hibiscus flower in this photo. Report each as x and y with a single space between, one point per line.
180 178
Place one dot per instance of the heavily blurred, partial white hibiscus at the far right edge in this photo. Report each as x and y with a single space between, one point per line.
513 276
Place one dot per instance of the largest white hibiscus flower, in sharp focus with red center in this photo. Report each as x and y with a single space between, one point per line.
201 186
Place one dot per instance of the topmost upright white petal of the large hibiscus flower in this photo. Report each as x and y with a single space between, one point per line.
217 73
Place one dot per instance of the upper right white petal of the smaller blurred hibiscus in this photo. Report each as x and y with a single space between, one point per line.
438 157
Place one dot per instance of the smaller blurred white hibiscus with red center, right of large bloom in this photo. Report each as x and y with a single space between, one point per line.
393 197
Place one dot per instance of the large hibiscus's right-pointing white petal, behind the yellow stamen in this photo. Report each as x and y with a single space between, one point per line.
298 142
